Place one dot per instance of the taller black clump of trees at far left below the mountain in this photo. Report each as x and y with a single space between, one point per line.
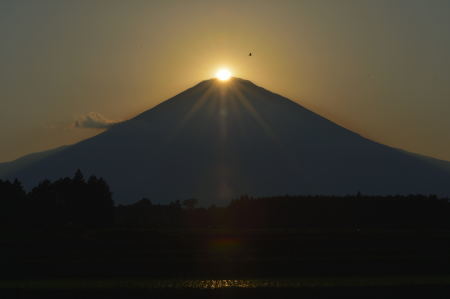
67 202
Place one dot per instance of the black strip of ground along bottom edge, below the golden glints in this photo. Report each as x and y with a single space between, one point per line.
317 292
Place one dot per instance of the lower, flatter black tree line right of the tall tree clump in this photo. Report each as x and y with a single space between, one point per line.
350 212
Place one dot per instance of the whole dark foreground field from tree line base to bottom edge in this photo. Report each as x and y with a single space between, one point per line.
214 263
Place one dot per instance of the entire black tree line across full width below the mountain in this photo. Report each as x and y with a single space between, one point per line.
77 202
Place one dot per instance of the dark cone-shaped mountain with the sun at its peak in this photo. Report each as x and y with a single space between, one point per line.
219 140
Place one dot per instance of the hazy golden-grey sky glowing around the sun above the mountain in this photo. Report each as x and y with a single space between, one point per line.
380 68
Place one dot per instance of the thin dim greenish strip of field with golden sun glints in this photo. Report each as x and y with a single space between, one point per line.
211 284
